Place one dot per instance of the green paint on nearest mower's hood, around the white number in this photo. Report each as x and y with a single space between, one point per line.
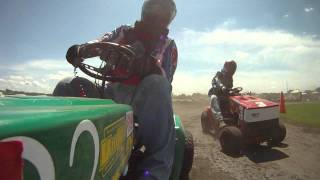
52 122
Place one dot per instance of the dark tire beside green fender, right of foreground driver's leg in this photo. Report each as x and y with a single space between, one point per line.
188 157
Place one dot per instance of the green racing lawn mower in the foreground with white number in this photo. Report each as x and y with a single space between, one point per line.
63 138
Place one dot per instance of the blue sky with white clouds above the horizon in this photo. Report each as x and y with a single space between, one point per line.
276 43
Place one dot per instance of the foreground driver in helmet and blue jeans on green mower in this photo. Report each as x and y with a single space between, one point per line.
148 90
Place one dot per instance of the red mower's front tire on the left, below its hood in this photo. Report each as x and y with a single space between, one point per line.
231 140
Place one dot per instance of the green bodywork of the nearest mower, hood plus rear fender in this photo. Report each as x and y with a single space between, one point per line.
100 130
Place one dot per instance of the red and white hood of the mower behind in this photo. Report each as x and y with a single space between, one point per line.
253 109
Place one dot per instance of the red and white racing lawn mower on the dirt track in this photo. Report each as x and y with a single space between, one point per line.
249 121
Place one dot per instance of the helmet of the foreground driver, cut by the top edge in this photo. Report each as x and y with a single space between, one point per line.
153 10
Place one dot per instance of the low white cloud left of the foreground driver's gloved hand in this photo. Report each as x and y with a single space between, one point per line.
35 75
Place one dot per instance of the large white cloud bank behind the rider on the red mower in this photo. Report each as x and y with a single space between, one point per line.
266 59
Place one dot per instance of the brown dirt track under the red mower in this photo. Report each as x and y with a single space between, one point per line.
297 158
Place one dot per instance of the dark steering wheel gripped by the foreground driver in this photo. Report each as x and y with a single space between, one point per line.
113 55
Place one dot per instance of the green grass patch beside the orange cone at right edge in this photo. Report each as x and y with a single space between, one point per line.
304 113
